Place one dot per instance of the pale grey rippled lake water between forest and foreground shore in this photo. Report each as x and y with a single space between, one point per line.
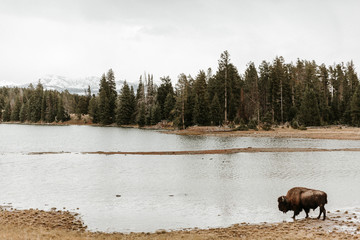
166 192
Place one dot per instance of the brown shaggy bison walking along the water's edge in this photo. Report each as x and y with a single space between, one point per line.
299 198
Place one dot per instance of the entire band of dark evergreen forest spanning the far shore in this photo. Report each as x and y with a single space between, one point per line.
302 94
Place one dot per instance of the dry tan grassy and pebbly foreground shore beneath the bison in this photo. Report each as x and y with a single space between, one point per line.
38 224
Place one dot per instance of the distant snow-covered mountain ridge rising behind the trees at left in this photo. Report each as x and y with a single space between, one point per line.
73 85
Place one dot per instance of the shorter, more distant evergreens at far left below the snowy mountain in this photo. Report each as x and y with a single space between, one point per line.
34 104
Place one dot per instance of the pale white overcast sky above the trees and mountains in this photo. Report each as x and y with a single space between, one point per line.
80 38
